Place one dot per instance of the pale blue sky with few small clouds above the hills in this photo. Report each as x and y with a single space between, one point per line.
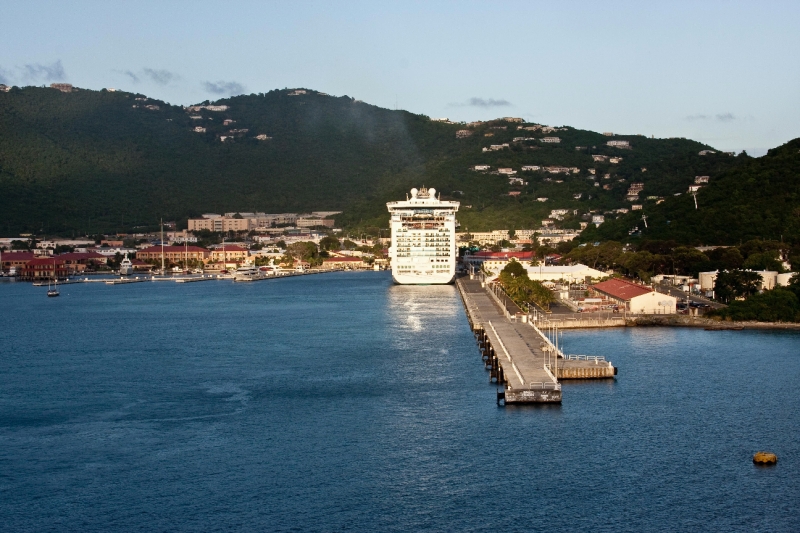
725 73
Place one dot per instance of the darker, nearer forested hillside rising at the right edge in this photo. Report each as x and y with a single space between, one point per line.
759 199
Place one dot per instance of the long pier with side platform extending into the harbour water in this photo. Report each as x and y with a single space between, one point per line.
518 354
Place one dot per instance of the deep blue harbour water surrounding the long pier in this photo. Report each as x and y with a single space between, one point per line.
341 402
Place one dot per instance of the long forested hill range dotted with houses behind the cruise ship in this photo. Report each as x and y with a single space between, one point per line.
90 161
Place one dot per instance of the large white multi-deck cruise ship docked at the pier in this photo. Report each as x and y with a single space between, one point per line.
423 250
